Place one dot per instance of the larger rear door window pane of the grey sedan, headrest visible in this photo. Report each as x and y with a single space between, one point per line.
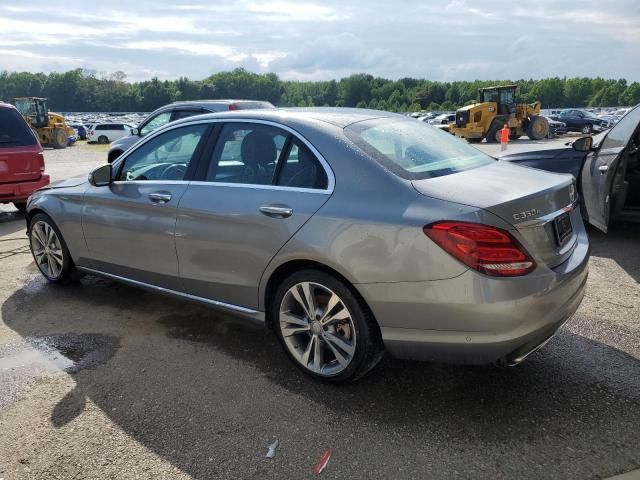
246 153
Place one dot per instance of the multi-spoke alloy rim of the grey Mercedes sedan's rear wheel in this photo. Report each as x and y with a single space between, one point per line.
317 328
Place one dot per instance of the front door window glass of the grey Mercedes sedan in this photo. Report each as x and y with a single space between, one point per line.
165 157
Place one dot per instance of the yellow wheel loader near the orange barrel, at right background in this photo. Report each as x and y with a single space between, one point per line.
496 108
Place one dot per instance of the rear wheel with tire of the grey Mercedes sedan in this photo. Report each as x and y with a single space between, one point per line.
324 328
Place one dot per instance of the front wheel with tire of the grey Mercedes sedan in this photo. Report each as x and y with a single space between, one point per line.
50 251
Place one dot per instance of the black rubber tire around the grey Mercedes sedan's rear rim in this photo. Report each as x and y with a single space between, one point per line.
368 344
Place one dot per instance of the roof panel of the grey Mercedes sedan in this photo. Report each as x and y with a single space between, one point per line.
340 117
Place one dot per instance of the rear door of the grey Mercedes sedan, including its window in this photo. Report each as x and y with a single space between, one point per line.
262 183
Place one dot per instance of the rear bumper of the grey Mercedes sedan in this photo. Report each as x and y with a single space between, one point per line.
474 319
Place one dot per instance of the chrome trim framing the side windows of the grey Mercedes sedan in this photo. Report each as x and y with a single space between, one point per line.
331 181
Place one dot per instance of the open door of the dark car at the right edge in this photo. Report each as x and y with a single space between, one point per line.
602 176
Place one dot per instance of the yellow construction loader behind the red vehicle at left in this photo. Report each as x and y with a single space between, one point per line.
50 128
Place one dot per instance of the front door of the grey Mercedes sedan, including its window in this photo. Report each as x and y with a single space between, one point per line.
129 225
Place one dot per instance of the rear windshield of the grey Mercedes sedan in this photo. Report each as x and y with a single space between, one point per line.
414 150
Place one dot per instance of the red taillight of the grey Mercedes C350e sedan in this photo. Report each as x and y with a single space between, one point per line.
489 250
